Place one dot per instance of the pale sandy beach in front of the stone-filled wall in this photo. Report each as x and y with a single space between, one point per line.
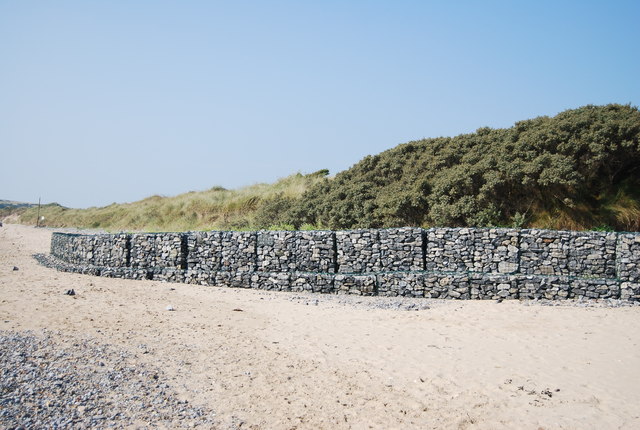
281 363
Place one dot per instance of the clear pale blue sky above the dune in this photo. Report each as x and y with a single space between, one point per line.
114 101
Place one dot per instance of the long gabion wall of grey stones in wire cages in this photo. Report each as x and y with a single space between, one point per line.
454 263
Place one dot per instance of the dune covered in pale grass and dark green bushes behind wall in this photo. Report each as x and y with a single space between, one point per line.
577 170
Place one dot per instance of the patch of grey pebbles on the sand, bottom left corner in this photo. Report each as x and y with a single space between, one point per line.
50 380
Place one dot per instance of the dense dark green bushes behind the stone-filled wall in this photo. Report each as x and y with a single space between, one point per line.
565 165
